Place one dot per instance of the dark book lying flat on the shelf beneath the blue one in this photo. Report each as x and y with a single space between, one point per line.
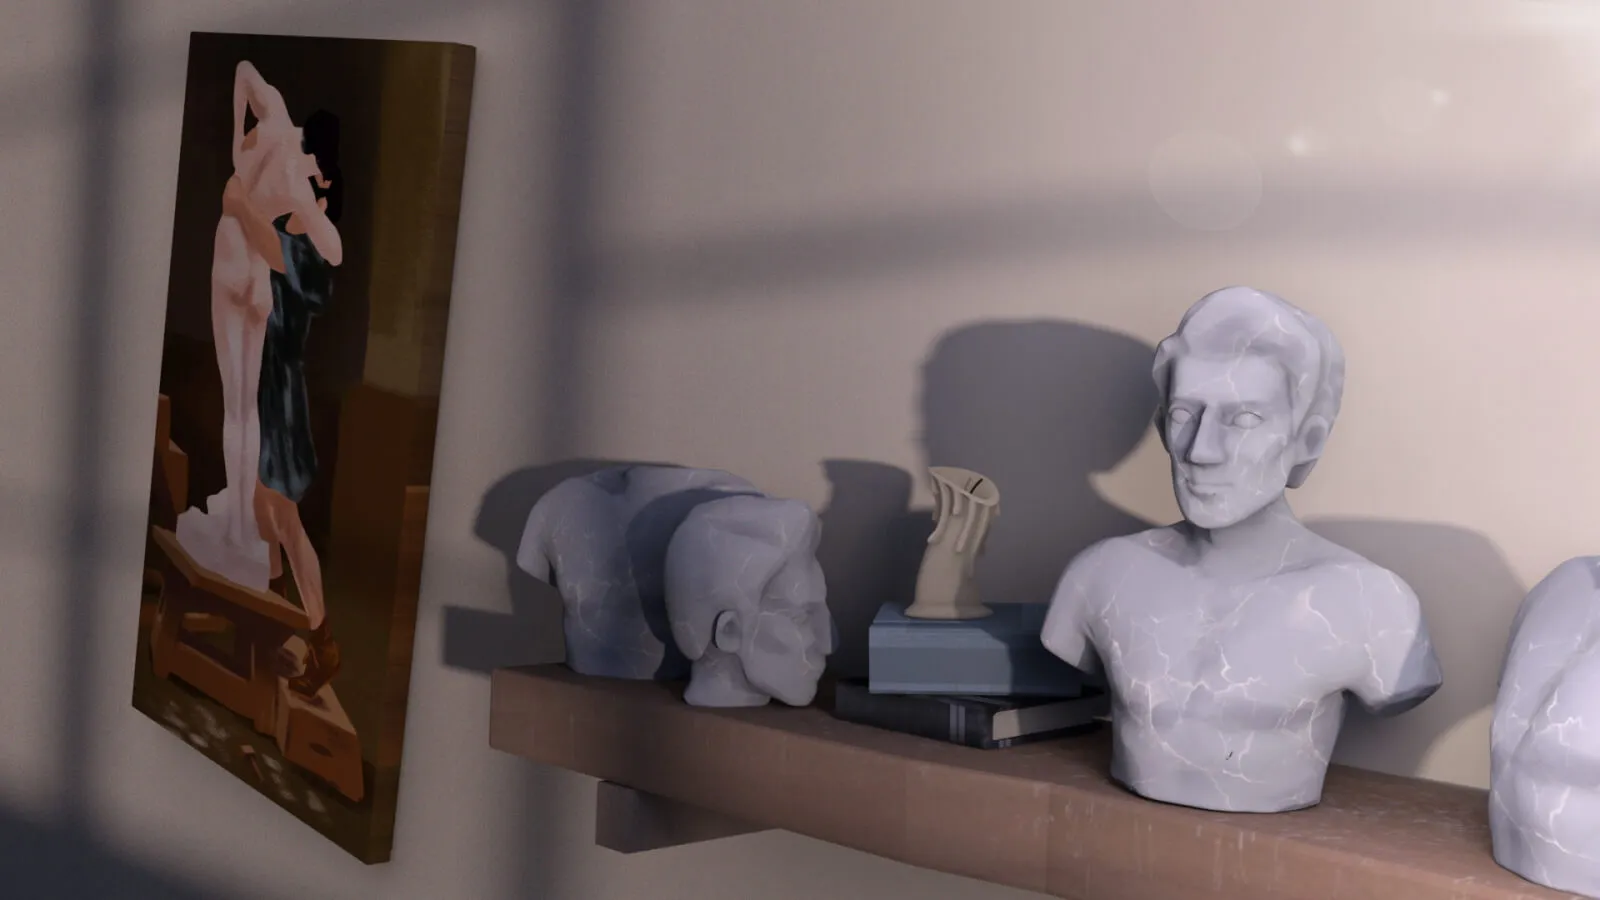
985 723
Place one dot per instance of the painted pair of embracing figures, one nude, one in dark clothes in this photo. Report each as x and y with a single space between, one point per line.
273 271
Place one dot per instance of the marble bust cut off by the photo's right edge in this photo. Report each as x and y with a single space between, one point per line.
1545 744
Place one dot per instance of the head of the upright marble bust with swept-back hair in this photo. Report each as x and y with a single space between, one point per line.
1250 388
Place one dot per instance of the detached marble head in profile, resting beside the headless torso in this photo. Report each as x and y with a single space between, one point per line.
748 601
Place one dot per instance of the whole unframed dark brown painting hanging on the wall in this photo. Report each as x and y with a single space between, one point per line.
319 187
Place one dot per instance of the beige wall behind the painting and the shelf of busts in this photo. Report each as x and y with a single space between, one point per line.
785 207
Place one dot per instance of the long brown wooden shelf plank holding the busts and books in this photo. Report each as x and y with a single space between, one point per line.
1041 818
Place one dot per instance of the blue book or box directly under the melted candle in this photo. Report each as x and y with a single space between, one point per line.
998 656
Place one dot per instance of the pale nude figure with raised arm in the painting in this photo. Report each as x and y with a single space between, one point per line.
274 179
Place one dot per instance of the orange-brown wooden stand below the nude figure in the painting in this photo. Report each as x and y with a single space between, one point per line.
225 641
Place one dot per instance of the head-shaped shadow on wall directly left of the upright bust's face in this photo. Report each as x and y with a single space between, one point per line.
1039 408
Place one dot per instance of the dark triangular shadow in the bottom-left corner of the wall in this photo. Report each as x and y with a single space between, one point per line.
41 861
